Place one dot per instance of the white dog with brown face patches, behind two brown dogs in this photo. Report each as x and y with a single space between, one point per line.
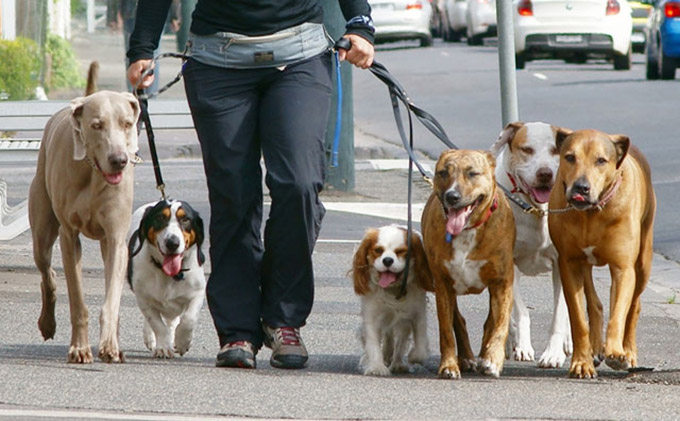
527 161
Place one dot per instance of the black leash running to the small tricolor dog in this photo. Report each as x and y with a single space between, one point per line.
143 99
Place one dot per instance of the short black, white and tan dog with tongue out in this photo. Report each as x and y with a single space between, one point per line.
165 272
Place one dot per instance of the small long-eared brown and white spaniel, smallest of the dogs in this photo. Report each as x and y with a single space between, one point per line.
388 322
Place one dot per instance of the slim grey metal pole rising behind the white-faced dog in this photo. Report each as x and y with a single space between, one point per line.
506 59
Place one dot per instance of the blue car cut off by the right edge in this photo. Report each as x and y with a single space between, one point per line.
663 39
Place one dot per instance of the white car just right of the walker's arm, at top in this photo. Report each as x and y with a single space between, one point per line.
397 20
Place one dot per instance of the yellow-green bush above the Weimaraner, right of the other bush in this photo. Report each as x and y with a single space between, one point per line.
64 72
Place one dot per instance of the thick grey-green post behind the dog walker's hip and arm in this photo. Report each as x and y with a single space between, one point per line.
342 176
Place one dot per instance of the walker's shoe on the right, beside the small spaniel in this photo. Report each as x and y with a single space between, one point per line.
288 350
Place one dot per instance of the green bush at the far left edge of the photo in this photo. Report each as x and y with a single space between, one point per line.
19 68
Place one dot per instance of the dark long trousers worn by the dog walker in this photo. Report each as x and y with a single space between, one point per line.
241 115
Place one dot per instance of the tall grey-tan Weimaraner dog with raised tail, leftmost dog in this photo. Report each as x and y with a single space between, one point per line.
84 185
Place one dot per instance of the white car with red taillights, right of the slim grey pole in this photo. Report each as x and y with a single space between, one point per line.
573 30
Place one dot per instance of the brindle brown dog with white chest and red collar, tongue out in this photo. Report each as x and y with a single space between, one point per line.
469 233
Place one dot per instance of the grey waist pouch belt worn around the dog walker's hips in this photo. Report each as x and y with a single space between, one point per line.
236 51
